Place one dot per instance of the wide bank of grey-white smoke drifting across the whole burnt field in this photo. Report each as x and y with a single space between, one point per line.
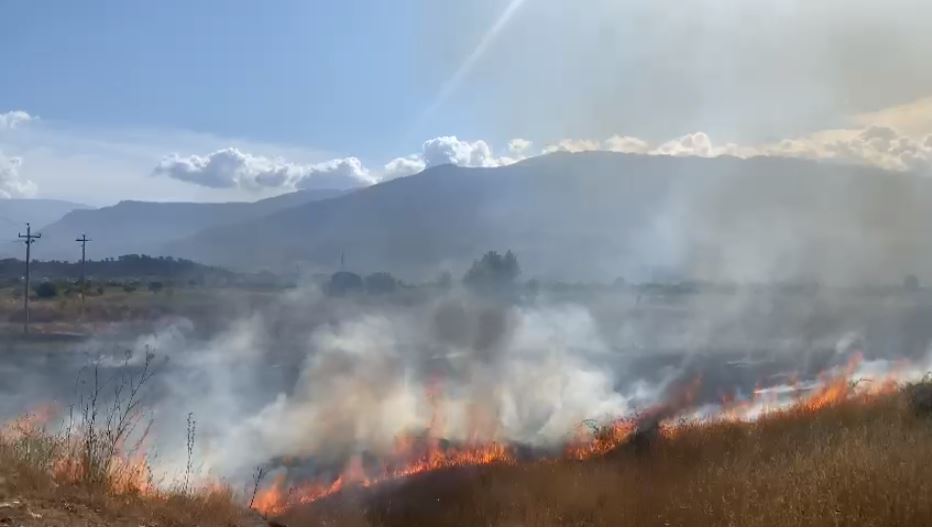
323 380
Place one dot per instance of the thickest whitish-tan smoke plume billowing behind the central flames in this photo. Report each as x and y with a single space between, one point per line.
463 368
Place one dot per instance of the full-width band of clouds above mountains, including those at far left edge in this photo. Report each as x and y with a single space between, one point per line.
897 138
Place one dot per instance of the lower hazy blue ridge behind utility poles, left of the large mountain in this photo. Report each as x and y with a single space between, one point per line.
145 227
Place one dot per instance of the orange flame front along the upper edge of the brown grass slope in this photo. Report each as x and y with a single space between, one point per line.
834 387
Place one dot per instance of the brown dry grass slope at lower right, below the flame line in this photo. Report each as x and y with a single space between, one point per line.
852 464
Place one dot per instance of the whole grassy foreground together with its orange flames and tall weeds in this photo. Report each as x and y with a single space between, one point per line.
844 450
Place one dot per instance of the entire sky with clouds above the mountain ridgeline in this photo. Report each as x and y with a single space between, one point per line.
102 101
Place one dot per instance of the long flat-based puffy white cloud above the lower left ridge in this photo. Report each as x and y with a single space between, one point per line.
232 168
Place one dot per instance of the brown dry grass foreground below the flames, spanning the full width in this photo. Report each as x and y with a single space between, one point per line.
853 463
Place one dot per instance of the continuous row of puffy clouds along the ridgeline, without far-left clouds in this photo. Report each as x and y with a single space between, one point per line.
880 146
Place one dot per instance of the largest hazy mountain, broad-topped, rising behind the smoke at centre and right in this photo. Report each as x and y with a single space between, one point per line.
601 215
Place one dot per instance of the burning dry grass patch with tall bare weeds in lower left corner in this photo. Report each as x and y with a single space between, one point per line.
93 471
